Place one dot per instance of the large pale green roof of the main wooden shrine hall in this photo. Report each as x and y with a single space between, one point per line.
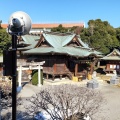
59 45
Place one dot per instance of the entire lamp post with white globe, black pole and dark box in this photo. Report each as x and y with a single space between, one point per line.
19 24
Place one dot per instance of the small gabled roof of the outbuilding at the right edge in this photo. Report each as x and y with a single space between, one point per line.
114 55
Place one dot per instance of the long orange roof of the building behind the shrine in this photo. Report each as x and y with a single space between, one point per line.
51 25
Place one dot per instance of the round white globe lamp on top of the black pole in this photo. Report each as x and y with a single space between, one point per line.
19 23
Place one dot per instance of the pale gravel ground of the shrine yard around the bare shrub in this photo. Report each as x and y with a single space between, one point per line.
111 93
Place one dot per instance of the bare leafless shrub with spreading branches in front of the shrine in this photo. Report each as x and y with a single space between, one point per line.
65 102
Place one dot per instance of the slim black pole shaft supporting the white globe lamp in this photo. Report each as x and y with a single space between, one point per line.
14 65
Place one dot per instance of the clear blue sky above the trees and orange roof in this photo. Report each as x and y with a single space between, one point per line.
59 11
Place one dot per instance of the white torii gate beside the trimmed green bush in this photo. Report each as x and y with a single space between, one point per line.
29 66
